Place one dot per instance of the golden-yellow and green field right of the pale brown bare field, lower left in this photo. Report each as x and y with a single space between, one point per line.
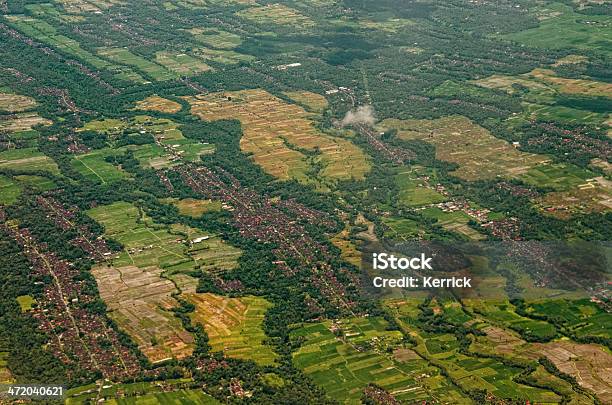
234 325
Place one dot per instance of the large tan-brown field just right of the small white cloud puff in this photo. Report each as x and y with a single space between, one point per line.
479 154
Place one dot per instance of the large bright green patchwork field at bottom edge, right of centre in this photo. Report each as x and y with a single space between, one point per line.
344 363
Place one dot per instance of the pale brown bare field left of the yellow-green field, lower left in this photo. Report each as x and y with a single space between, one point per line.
140 300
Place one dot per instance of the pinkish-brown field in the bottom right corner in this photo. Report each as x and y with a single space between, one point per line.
590 364
